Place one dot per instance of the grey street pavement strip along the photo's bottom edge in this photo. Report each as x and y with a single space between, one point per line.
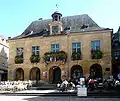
39 98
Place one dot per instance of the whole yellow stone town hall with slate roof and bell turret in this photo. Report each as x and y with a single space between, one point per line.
61 48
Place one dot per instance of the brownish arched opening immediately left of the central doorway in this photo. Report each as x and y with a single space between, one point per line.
34 74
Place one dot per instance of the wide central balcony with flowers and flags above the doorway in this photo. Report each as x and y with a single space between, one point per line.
55 56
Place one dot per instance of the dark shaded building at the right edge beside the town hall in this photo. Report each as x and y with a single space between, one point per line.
116 53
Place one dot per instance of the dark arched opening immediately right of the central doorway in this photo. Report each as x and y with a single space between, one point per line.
76 72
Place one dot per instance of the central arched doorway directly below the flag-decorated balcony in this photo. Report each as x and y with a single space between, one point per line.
55 74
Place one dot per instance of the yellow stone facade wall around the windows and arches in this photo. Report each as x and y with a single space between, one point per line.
65 42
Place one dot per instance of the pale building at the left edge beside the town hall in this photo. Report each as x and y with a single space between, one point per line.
4 52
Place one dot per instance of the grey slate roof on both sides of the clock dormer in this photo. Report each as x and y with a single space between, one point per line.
76 23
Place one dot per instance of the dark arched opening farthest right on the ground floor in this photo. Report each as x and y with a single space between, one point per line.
95 71
